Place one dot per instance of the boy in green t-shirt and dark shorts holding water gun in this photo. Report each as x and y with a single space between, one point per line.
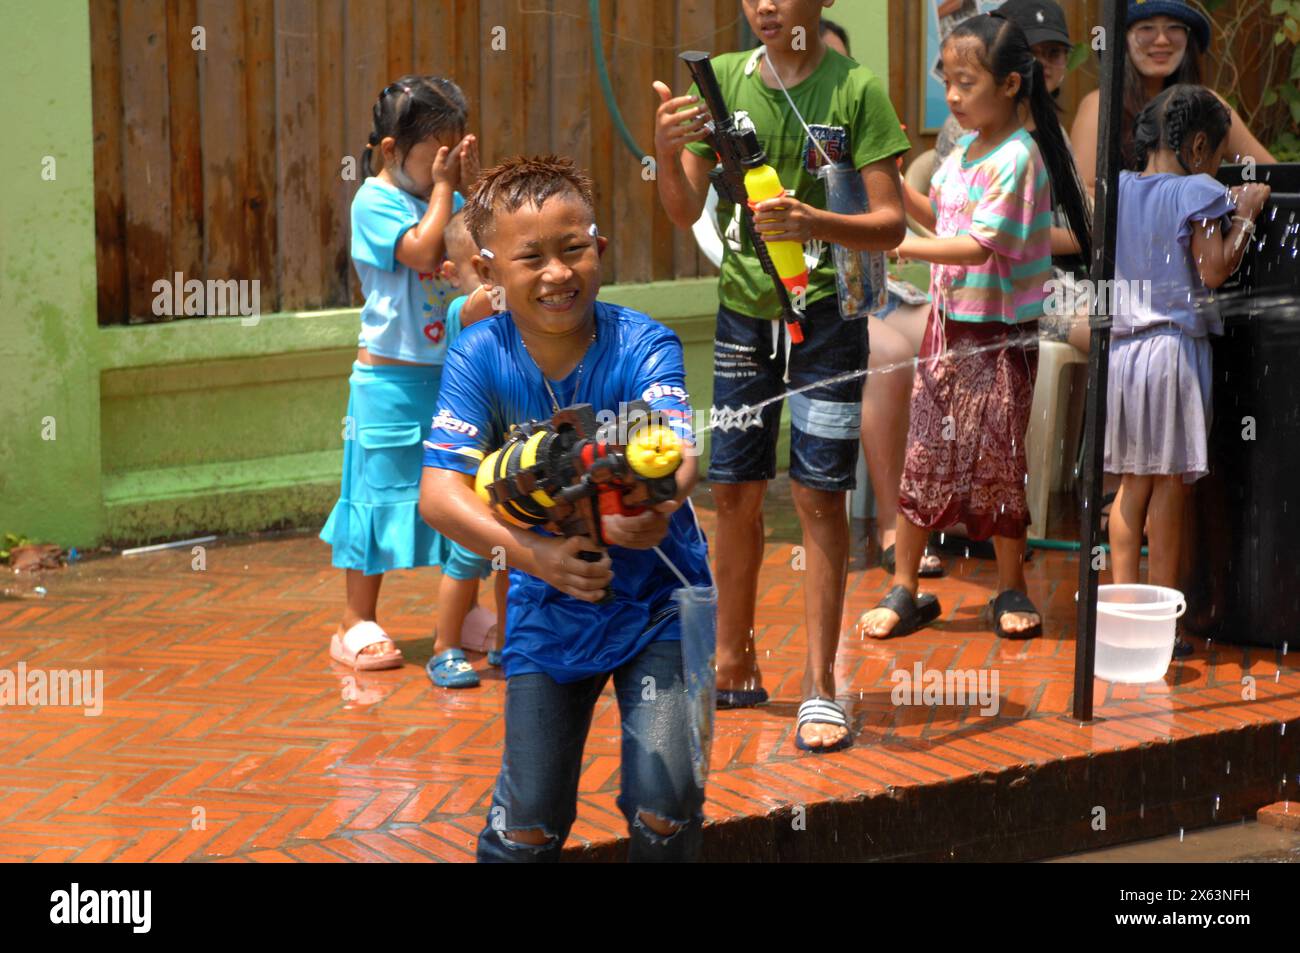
848 114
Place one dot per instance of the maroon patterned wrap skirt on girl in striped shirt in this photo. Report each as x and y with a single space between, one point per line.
970 413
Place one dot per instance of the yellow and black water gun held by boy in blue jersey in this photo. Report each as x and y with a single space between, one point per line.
565 475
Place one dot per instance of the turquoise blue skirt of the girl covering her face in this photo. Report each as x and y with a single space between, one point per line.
376 525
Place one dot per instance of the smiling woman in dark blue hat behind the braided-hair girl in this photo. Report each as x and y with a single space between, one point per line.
1167 44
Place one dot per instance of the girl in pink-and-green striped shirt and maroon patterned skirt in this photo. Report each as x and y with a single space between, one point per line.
991 206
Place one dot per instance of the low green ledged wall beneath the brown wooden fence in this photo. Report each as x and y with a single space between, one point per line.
216 427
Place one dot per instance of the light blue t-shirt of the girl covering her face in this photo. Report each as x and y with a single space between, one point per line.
405 311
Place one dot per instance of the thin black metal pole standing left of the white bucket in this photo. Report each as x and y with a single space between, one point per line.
1104 224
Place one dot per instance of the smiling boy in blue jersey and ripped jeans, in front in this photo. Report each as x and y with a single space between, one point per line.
558 346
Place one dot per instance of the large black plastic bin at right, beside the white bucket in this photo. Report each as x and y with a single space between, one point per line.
1242 547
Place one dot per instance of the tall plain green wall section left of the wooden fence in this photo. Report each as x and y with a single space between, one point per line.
49 340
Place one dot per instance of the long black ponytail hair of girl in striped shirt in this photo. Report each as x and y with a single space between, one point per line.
1007 51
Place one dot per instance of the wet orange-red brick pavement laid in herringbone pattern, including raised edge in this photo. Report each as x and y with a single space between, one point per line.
224 707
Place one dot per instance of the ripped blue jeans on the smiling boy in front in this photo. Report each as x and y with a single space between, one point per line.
547 727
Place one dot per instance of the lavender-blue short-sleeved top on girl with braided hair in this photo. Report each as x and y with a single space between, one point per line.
1155 245
